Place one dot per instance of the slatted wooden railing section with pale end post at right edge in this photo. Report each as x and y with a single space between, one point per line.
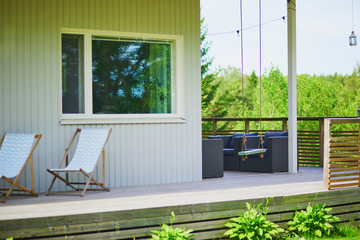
341 154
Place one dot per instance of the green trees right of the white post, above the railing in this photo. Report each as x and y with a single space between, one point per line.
328 96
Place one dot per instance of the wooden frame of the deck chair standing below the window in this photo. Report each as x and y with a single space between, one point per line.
90 181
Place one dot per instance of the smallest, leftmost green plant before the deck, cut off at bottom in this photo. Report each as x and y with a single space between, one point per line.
169 233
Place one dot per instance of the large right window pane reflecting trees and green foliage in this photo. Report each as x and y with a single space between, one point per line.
131 76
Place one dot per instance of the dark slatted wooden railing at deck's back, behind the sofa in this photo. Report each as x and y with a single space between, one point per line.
310 141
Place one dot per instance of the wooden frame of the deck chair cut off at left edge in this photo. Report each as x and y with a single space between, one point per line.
15 182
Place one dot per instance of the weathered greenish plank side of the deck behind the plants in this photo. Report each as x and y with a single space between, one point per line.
206 219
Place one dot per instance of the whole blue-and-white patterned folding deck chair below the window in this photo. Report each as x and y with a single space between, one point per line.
89 150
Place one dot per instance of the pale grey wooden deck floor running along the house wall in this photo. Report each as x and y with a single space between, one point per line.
233 186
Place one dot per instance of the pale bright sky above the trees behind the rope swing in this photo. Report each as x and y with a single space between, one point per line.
322 35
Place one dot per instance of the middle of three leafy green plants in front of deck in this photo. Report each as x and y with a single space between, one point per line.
252 225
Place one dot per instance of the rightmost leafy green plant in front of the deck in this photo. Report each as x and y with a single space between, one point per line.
314 222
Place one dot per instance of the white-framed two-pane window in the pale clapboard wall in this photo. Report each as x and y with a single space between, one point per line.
120 77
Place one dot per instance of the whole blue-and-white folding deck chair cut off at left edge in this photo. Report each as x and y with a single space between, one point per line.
16 151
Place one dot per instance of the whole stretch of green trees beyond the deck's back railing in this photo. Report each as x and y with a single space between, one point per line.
317 96
